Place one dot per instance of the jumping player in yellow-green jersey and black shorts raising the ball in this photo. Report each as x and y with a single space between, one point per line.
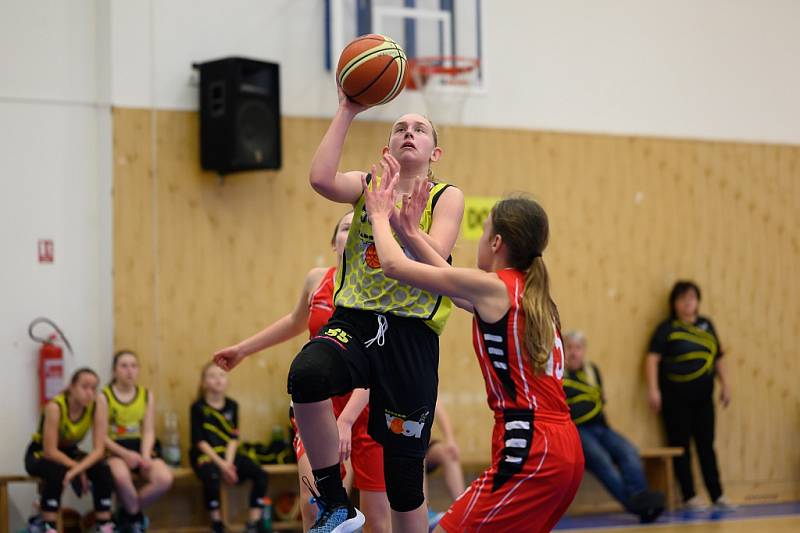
383 334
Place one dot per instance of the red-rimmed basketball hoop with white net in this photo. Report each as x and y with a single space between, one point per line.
444 82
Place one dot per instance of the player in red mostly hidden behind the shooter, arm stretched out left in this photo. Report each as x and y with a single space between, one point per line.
313 311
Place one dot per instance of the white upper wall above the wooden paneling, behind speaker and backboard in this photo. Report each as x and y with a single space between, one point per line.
722 69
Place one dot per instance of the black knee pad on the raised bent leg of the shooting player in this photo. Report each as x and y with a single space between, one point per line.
317 373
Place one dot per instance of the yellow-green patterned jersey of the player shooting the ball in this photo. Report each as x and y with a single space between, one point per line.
361 284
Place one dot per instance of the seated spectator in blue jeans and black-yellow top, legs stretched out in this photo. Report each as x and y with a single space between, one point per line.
609 456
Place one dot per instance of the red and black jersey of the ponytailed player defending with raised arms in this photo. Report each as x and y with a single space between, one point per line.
511 382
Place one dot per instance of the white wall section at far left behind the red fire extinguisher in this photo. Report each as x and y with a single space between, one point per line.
55 182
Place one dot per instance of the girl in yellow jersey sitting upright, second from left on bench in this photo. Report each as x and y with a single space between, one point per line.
131 441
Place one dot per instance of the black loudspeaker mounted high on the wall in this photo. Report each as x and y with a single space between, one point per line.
240 115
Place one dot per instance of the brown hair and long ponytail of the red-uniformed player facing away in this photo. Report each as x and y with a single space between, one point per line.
522 223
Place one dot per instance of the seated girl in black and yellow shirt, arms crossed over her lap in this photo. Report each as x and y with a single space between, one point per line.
214 453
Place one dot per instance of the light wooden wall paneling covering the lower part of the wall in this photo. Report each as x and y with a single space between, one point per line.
628 216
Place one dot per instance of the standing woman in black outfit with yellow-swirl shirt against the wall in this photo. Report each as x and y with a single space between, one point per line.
684 357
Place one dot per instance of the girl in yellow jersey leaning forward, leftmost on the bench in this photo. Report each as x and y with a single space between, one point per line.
54 456
